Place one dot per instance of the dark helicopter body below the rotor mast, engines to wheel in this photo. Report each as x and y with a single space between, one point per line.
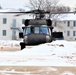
36 31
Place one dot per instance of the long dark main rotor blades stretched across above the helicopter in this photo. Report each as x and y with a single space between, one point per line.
38 12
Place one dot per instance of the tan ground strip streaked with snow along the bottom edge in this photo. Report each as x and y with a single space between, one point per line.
33 70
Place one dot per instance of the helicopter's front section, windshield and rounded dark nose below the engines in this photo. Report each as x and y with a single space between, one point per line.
37 35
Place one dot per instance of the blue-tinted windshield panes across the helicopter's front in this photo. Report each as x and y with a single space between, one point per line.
37 30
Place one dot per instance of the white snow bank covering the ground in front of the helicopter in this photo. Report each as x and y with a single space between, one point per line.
56 53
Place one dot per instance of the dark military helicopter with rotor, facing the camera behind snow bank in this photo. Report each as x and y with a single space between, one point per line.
37 31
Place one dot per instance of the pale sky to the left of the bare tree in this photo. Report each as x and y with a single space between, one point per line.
13 3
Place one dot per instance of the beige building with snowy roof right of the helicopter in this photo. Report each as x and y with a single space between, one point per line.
67 25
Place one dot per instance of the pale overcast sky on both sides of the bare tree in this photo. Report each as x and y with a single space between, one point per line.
21 3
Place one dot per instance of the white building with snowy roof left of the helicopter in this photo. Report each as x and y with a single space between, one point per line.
11 25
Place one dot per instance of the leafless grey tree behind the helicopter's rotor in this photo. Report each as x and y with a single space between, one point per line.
48 5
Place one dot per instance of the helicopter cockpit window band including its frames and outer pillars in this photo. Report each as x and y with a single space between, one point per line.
37 30
